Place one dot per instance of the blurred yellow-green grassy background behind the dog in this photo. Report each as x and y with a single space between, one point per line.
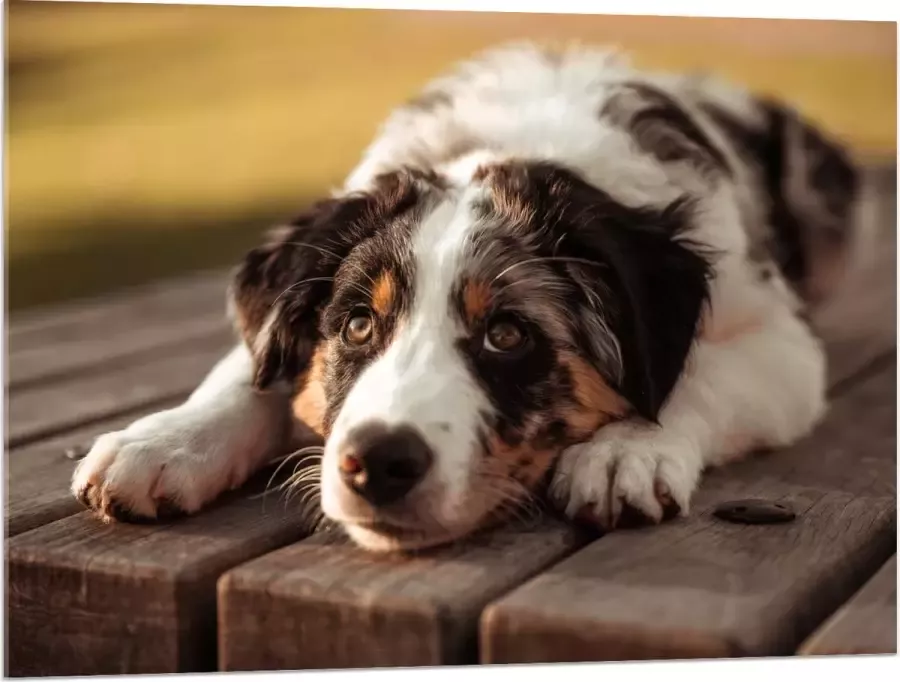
148 140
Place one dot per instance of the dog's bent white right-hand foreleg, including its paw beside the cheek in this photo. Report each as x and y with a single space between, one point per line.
764 387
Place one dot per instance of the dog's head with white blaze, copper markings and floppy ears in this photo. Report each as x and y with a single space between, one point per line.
448 341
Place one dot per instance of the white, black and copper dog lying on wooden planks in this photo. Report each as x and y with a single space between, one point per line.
550 272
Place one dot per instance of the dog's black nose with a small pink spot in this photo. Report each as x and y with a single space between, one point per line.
381 464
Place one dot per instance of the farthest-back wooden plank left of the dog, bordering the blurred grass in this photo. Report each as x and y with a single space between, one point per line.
59 343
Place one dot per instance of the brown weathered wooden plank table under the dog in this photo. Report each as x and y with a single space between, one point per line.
240 587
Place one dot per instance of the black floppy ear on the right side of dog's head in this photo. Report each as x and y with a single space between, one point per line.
643 287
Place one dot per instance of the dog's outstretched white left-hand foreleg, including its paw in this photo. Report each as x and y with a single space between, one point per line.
178 460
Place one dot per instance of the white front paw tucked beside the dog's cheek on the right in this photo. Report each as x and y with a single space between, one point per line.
628 473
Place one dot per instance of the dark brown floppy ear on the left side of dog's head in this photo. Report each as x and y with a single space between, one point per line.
278 292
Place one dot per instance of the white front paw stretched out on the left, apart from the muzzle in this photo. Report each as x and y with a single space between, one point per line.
158 468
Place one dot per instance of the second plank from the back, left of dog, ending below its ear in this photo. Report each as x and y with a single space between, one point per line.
42 411
